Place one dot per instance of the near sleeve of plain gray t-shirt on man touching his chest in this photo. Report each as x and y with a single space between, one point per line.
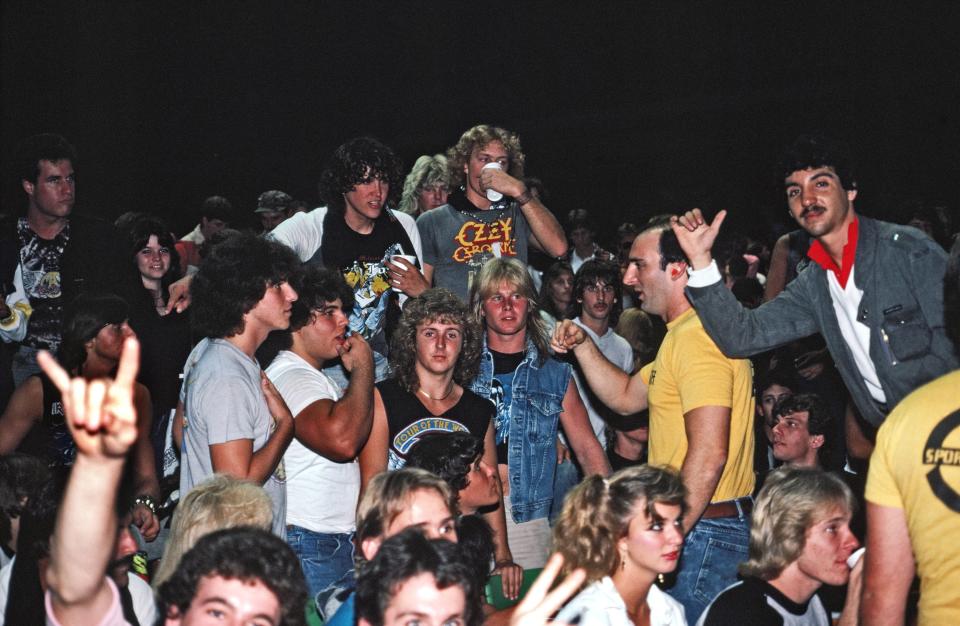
228 407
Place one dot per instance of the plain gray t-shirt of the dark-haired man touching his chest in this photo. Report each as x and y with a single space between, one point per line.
223 401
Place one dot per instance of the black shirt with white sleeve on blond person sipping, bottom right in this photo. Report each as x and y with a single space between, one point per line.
758 603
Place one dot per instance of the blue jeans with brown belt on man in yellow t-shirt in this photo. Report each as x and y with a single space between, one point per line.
711 553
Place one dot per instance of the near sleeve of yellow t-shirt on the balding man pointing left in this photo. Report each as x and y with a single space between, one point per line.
706 377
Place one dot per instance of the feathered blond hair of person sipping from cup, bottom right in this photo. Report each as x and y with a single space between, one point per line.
792 500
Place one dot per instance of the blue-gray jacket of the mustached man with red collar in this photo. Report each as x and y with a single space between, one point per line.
900 271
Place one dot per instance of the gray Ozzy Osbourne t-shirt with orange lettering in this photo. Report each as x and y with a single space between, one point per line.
458 241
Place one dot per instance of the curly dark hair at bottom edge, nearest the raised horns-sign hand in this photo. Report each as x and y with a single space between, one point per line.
244 553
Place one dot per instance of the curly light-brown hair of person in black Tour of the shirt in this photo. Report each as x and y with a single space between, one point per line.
434 305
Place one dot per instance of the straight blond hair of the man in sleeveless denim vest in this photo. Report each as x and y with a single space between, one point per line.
513 272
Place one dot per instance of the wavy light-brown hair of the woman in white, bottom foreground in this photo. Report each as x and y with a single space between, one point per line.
597 513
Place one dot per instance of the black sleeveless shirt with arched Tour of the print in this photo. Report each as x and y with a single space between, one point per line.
408 418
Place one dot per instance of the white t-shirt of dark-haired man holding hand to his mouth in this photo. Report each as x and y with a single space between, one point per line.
313 479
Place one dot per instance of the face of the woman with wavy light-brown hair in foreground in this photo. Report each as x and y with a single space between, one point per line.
652 546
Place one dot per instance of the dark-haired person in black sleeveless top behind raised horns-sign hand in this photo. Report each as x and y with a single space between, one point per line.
94 329
